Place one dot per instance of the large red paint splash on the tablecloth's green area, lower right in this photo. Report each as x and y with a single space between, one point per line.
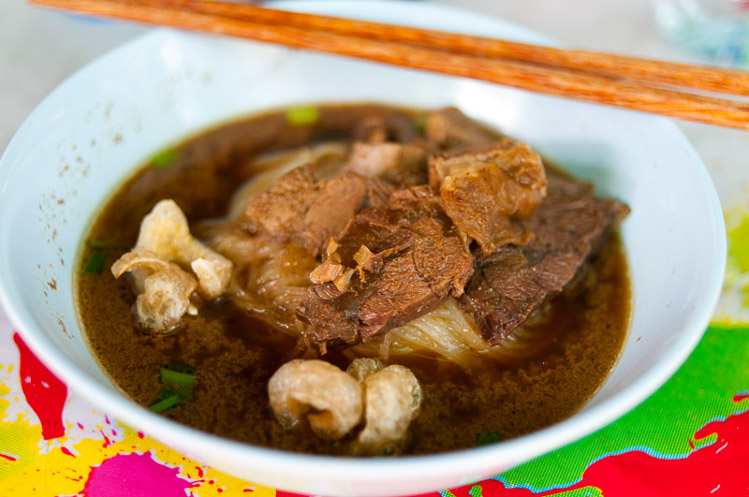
718 469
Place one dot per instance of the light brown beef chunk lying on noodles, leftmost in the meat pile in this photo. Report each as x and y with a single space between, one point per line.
299 206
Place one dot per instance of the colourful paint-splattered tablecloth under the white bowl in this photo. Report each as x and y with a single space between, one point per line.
691 438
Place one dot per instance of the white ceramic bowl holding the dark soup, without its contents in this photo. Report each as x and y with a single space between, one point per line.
89 134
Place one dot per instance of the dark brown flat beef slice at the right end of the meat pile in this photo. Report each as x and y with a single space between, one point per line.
570 226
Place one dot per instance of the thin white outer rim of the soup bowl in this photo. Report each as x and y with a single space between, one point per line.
408 467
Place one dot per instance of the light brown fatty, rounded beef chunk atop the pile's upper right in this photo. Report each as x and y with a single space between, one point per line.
485 193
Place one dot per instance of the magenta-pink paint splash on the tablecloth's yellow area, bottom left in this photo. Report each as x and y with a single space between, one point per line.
129 475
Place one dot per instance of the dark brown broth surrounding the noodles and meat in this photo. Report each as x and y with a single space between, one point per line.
234 355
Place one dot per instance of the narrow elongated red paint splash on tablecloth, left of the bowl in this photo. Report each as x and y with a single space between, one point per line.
43 391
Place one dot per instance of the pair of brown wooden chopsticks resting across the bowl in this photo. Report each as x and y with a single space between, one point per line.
632 83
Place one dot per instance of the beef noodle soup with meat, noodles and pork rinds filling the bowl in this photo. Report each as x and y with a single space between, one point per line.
356 280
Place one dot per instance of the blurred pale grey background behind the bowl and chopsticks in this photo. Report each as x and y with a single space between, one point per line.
40 48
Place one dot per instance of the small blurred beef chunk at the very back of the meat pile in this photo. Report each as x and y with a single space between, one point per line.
450 130
